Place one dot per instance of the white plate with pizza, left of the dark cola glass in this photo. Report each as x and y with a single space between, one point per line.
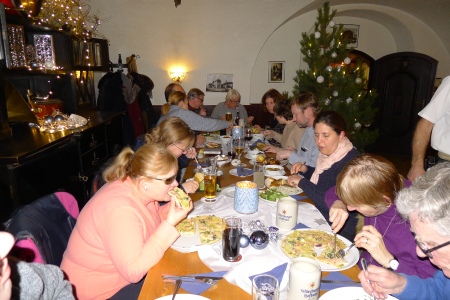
198 231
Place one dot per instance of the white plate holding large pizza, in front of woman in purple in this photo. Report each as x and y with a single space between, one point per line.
319 245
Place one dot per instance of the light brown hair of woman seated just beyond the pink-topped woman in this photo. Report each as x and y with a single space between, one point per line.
170 131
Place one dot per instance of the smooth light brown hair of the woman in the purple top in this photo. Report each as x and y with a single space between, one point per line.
367 180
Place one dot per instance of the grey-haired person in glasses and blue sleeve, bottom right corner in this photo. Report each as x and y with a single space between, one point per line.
426 206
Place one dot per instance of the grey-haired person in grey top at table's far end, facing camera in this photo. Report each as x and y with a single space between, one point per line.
231 104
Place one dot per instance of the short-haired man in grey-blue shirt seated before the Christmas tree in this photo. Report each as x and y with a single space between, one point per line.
304 110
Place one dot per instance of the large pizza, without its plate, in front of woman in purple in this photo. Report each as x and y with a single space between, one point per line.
315 244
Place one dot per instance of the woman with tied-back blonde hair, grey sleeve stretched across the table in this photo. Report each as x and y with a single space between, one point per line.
178 107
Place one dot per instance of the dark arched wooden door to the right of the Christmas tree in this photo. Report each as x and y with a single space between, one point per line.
404 82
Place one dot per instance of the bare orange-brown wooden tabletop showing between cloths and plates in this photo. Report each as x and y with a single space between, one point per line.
174 262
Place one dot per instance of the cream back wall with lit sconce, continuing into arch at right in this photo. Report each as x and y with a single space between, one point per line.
236 37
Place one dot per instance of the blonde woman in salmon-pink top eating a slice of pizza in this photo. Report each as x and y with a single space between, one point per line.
123 231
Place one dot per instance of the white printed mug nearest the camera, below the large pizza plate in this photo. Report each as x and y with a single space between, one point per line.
304 279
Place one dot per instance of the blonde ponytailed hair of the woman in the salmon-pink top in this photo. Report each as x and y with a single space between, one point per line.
151 160
